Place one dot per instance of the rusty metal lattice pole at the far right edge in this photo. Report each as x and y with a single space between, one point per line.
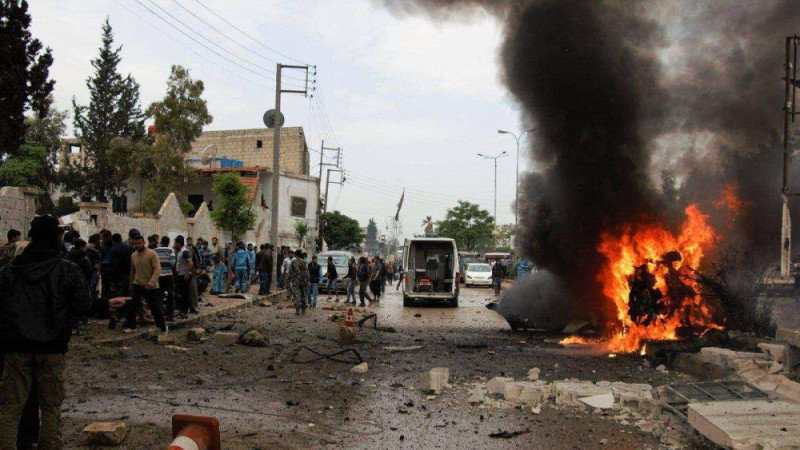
790 78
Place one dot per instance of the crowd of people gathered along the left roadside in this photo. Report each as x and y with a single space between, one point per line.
53 280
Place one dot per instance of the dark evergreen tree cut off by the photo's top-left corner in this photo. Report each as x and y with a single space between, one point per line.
24 75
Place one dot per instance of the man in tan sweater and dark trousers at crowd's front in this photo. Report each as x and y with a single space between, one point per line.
145 270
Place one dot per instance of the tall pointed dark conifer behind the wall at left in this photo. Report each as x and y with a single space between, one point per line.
114 111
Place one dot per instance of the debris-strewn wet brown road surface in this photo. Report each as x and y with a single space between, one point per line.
267 398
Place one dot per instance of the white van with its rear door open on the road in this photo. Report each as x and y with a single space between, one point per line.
431 270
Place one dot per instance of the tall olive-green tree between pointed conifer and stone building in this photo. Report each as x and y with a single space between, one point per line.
160 161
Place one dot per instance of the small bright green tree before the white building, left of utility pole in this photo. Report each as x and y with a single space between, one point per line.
232 210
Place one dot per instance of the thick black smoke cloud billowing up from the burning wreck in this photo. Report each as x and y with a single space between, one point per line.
622 90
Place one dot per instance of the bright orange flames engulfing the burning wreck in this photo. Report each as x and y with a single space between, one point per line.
646 243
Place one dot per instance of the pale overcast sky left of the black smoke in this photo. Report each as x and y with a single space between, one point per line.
411 101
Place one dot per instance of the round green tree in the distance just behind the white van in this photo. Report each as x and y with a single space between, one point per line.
471 226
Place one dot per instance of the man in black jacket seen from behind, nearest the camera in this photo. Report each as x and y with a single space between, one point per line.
41 296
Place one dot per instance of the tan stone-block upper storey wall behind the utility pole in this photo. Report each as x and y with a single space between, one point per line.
242 145
